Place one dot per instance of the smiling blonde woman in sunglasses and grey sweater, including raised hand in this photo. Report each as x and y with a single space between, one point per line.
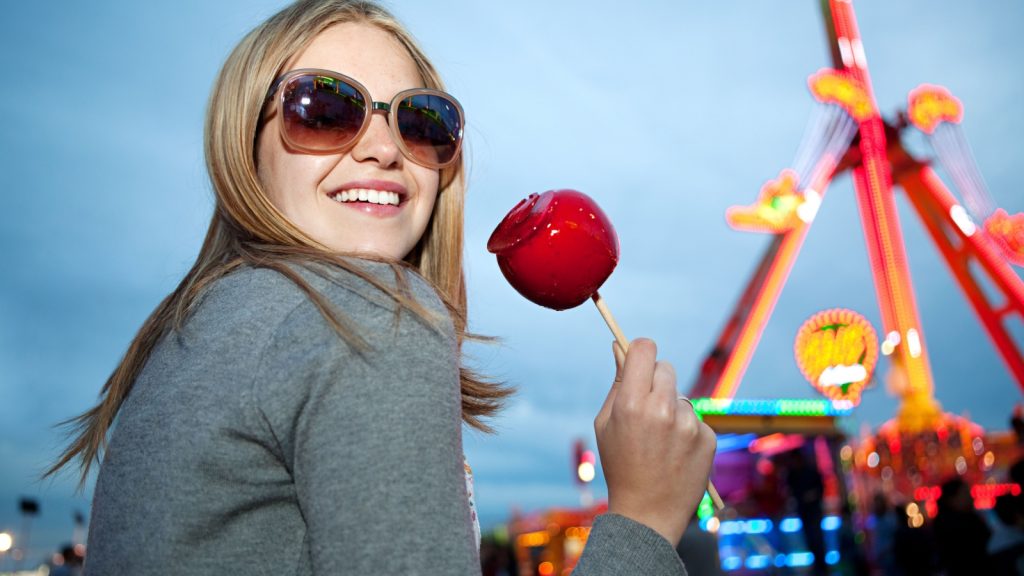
295 406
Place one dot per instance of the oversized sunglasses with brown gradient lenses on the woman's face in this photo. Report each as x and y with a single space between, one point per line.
323 112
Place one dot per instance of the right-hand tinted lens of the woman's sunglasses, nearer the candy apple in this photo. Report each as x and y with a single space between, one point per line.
432 129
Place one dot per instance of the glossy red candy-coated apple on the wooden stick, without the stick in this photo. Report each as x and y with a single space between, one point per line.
557 249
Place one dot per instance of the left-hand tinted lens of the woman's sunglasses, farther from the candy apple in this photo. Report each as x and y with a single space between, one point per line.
322 113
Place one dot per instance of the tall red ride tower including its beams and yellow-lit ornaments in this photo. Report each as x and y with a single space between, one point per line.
848 135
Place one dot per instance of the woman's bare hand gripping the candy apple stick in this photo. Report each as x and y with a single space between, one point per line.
656 454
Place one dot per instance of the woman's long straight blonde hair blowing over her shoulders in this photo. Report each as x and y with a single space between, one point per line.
247 229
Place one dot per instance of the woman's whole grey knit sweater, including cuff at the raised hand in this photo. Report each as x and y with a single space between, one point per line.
257 442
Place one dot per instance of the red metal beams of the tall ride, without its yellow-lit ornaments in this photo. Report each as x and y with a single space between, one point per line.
870 160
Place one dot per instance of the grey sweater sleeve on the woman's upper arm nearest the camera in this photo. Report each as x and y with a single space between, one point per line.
373 441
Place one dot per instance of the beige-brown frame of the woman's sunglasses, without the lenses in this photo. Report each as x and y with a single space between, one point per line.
391 109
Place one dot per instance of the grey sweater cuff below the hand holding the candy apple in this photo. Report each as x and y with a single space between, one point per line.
621 546
